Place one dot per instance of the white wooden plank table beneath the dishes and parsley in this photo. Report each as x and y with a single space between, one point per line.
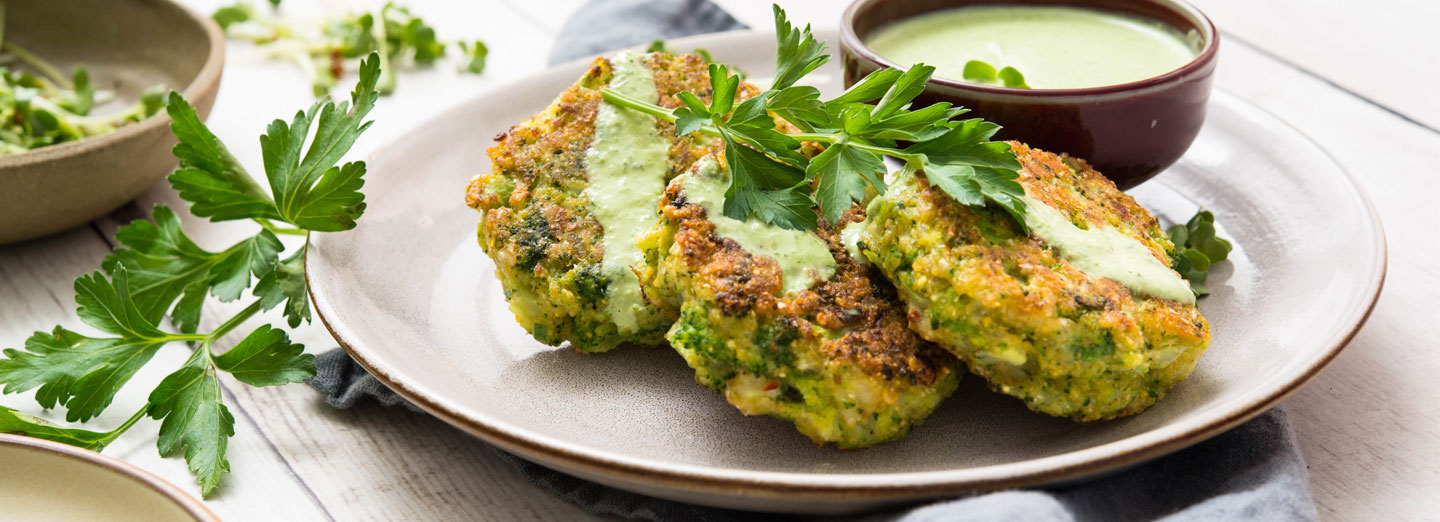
1364 81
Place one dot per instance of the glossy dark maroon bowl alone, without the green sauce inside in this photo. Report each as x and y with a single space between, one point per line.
1128 132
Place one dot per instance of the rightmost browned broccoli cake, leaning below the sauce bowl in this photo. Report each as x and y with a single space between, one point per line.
1084 318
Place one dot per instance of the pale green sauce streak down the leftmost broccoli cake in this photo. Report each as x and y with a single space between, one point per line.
627 164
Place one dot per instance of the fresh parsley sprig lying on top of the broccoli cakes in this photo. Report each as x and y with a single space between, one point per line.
773 181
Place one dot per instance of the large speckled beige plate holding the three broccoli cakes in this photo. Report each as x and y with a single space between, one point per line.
411 295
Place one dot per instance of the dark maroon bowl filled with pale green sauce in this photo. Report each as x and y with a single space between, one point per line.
1122 84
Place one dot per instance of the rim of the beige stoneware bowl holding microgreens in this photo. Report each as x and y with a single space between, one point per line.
204 80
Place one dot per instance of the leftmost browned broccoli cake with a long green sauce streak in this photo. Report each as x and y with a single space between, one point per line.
574 187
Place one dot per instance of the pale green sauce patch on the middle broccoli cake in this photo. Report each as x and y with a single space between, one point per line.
804 257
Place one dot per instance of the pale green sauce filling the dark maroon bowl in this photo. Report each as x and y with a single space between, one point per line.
1056 48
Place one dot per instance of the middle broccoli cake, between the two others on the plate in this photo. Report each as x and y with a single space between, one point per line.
787 324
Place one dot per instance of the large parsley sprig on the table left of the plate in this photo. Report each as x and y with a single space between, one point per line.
161 272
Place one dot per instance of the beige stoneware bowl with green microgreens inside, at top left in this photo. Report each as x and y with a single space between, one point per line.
83 90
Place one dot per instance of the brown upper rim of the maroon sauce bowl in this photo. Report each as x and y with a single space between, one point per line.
852 43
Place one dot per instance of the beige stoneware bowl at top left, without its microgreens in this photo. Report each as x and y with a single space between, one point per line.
129 47
